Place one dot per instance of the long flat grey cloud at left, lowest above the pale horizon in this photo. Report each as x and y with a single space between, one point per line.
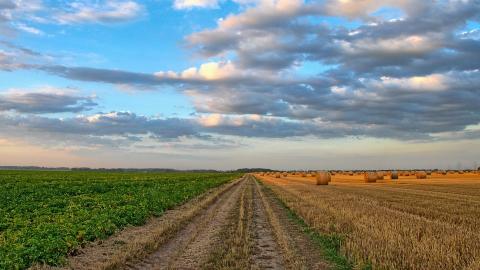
110 129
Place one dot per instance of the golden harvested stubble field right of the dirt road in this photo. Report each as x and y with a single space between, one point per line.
408 223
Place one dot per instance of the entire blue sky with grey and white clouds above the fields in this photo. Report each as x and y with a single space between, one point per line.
226 84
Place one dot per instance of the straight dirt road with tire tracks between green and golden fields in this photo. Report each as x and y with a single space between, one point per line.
238 226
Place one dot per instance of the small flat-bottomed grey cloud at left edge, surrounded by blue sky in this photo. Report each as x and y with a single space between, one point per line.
46 100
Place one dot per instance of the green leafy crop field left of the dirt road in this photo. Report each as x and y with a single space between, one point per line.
44 216
